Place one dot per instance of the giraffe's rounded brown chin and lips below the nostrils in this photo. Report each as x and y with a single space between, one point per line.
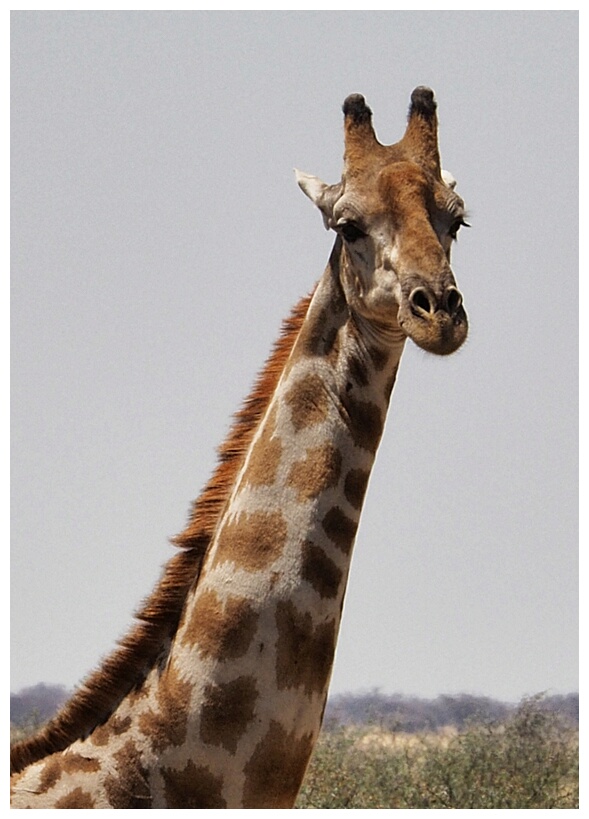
438 333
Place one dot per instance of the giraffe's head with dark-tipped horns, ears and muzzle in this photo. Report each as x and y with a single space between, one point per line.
397 214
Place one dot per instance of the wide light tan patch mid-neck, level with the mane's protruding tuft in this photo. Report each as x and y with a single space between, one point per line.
252 541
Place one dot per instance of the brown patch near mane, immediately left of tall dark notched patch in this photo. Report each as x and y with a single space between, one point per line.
221 631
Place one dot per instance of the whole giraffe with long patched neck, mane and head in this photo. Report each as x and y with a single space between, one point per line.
216 696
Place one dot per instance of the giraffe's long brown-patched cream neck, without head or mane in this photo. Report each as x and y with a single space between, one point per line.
232 717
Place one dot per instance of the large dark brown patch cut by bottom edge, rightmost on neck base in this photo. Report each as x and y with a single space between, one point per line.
275 771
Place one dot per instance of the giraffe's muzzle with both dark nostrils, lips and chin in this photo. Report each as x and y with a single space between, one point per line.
438 325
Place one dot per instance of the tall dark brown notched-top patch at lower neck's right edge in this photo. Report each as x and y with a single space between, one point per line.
304 653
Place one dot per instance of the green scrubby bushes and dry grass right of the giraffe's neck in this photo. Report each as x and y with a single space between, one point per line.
527 760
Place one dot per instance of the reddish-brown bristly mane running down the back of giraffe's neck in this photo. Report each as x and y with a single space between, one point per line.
142 647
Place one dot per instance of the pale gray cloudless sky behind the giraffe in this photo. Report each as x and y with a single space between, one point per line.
158 239
